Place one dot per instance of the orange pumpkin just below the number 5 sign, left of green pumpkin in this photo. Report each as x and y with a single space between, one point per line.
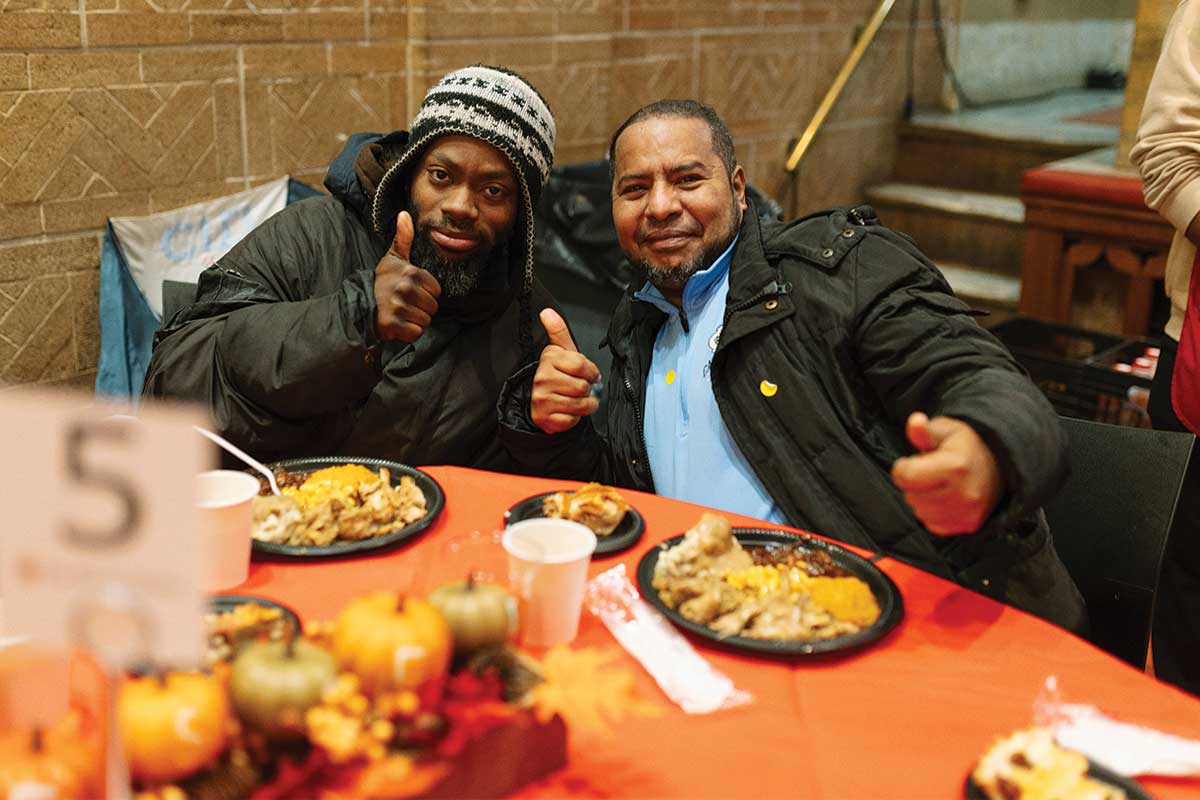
172 725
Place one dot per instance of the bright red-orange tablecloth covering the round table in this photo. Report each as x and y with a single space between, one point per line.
903 719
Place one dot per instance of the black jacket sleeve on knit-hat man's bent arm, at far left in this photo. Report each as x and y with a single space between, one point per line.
271 345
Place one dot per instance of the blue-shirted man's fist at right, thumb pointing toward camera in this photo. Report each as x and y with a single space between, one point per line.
953 483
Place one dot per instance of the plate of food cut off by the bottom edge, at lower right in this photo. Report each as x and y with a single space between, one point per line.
1031 766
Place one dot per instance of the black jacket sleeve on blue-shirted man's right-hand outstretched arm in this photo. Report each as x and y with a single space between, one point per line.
921 351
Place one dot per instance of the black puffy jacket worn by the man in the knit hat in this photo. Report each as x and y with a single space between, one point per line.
281 346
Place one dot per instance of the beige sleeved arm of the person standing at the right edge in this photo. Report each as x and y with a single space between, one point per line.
1167 152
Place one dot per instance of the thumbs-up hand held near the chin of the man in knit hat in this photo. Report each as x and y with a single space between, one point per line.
406 296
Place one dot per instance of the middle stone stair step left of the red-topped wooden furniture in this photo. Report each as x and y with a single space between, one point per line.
956 226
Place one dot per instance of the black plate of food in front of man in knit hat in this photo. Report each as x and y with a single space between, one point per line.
337 507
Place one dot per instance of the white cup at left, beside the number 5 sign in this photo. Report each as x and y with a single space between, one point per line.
225 497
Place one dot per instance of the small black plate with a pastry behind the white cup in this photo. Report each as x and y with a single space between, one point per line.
616 524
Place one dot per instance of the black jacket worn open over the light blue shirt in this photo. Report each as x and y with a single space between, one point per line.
859 330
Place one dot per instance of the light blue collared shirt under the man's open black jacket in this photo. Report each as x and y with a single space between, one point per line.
693 456
